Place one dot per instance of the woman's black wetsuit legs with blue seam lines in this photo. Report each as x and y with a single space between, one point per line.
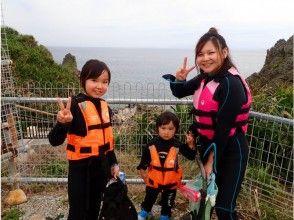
229 177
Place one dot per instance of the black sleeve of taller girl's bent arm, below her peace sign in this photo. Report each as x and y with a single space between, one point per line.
58 134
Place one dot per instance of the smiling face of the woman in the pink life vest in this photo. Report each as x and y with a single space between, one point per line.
210 59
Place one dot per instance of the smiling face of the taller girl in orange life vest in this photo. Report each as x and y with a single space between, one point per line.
97 87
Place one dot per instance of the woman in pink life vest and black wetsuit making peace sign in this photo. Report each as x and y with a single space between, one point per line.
221 100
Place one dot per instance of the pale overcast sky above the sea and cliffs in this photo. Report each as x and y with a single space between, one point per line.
245 24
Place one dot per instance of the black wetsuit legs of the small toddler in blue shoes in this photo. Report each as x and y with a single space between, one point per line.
167 199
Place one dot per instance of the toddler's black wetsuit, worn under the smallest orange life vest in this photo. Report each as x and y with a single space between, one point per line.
168 195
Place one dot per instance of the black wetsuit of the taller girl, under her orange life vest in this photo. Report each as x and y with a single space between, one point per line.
87 178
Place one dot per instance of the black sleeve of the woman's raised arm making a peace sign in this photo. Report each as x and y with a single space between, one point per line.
185 88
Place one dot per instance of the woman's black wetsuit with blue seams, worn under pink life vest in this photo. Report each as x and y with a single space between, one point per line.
231 152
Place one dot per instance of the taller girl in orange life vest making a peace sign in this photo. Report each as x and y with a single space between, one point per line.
86 123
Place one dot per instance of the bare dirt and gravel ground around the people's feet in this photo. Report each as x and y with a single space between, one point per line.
52 204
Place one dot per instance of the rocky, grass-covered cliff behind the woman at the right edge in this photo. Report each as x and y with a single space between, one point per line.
272 87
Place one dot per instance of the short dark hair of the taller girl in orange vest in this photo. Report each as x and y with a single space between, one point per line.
93 69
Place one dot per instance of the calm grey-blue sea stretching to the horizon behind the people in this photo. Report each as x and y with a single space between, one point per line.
151 62
